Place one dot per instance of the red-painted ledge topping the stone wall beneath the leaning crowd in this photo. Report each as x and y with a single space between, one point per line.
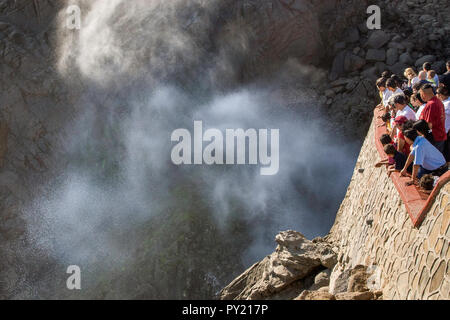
417 203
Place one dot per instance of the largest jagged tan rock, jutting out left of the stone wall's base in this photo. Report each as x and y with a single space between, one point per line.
295 258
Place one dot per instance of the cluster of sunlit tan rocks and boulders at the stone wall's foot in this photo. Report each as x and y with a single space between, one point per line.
303 270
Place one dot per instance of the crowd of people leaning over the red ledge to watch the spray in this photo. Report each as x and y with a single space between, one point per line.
416 113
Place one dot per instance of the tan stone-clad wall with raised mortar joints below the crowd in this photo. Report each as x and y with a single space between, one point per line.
373 228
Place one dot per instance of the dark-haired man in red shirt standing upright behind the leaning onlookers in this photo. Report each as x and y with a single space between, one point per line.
434 115
